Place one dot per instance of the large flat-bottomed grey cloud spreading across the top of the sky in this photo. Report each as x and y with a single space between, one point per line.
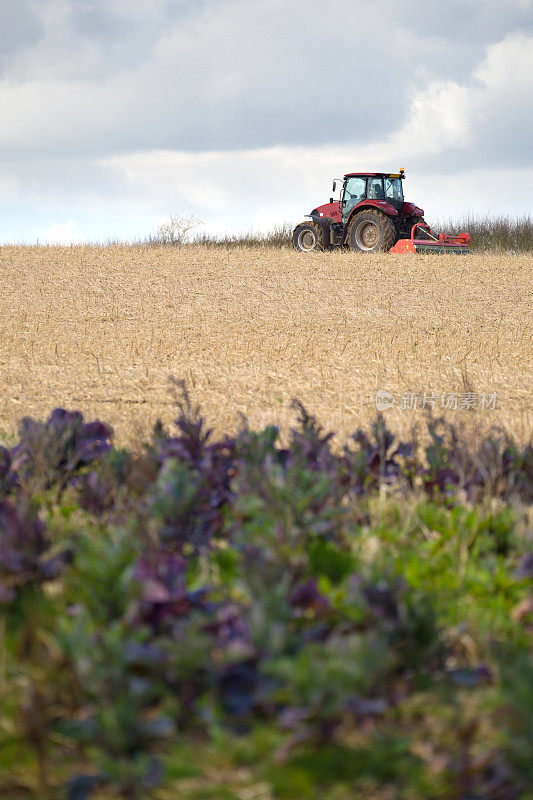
233 75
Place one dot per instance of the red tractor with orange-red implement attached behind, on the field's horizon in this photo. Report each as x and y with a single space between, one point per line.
371 216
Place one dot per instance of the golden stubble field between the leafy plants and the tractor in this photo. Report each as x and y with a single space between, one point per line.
102 329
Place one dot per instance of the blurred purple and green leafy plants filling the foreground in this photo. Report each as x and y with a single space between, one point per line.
231 619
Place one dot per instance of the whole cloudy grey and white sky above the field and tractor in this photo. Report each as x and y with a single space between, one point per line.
115 114
